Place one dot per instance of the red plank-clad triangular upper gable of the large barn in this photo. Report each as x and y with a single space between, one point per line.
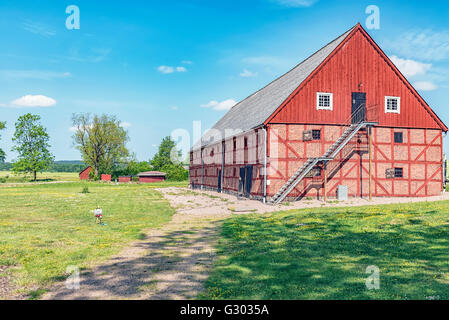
358 66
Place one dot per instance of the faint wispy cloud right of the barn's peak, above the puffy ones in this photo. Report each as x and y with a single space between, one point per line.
425 45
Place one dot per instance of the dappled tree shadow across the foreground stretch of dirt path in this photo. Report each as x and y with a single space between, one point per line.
176 273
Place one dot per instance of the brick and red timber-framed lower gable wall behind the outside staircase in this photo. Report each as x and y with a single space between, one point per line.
419 157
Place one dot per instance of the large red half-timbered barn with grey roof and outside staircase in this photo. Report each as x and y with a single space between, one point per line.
345 116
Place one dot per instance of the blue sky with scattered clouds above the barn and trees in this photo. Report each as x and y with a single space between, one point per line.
160 65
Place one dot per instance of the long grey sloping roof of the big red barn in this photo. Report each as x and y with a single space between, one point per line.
258 107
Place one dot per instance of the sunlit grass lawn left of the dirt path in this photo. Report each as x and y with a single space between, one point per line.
45 228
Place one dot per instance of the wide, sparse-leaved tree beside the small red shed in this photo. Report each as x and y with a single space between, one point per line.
101 141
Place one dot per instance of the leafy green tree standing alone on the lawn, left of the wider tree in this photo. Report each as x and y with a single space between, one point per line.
31 144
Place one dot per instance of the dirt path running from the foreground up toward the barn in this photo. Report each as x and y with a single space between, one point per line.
171 263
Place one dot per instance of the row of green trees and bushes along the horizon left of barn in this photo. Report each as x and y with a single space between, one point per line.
101 141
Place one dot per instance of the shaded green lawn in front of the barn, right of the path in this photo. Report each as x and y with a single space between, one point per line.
324 254
